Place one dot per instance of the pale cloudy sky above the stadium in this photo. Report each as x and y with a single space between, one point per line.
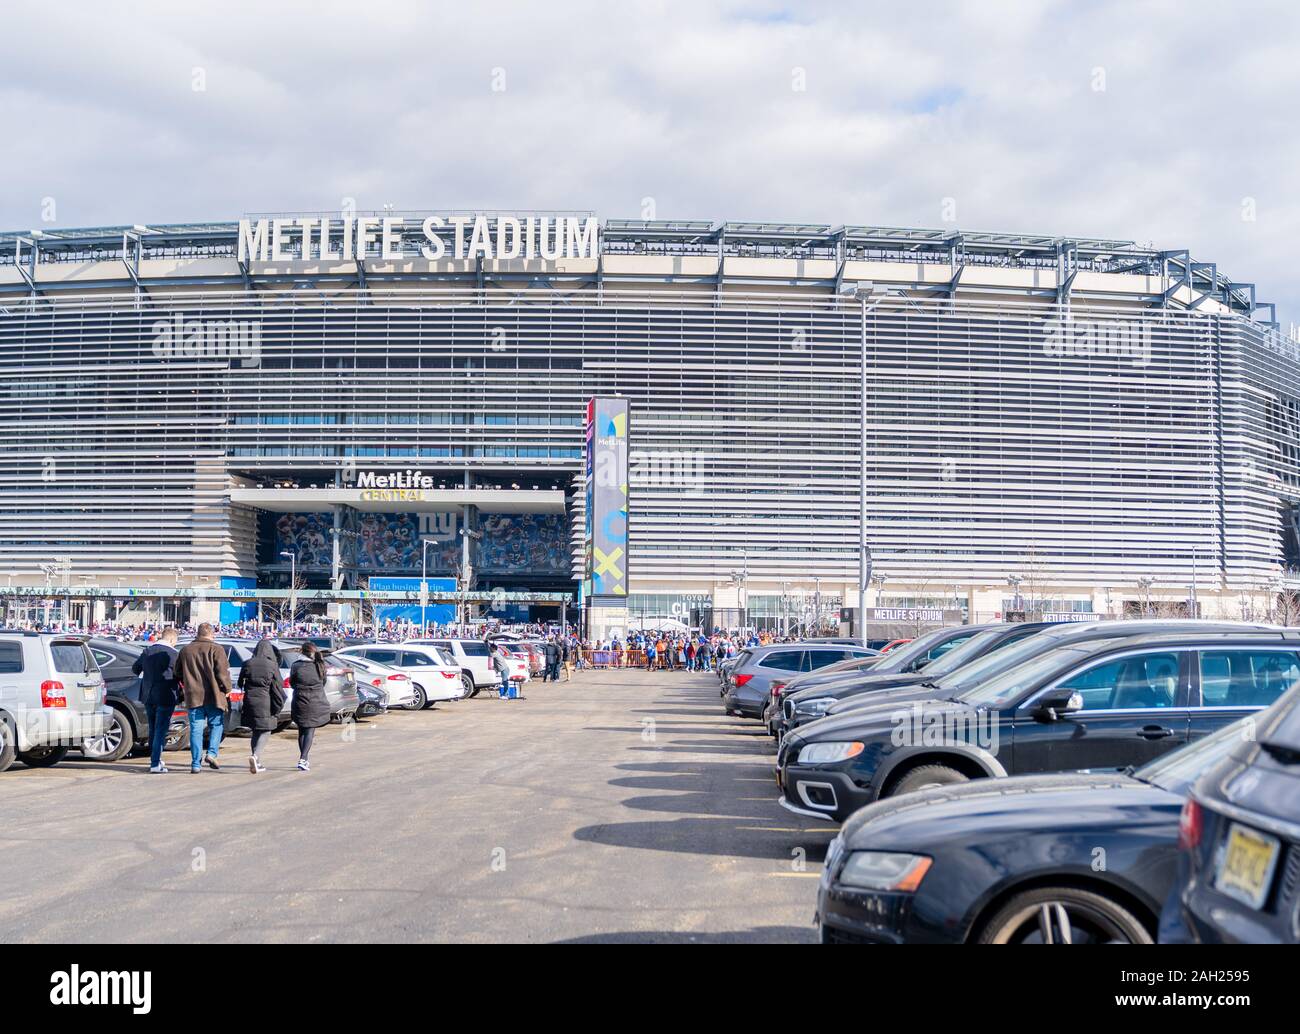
1163 123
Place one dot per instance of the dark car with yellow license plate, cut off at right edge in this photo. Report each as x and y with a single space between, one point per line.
1240 879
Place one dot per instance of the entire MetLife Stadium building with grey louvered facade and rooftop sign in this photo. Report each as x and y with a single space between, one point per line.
358 396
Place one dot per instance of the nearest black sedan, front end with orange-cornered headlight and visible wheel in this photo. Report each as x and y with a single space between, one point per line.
1068 859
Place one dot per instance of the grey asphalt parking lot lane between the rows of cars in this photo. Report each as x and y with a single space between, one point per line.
619 807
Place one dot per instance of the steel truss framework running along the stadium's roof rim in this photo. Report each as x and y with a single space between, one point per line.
955 249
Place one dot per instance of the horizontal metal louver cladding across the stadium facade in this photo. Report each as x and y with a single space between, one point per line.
991 447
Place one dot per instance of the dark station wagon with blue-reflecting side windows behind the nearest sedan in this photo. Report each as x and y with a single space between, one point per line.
1093 706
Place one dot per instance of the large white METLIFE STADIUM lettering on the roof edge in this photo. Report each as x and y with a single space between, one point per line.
393 239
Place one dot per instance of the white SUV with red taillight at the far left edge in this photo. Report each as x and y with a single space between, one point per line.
51 698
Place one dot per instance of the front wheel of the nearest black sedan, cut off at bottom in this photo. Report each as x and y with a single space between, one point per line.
1064 916
